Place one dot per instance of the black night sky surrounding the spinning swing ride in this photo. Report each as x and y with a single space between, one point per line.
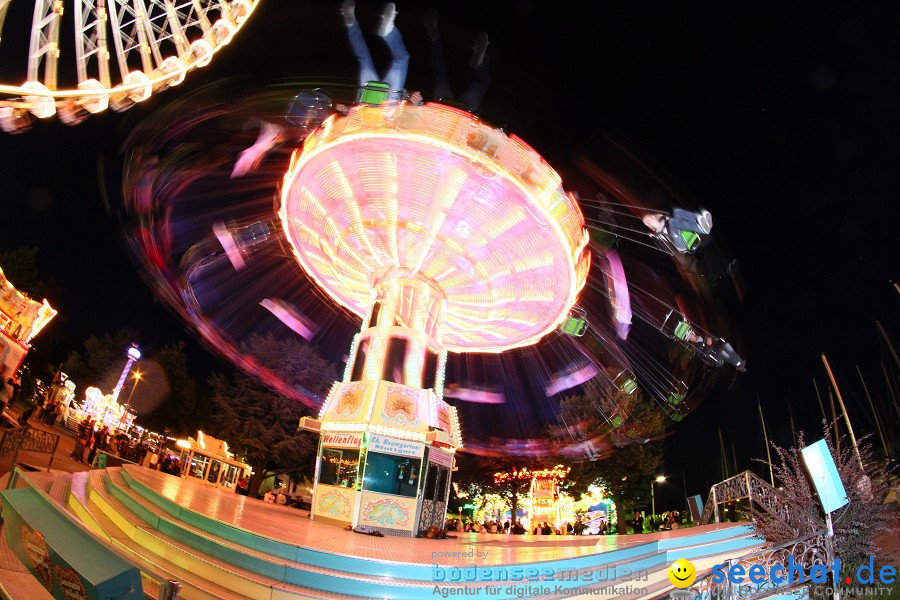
780 118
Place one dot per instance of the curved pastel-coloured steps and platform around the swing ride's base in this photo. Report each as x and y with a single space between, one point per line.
213 558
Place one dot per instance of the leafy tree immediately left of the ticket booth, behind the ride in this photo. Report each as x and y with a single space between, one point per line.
261 424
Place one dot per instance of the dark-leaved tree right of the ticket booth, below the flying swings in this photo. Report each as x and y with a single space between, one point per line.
631 457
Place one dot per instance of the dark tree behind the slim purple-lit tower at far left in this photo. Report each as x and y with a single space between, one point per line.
102 361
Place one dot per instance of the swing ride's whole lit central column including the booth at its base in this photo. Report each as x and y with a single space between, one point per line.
387 437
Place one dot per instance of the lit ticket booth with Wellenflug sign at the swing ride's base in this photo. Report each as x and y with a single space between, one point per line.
390 479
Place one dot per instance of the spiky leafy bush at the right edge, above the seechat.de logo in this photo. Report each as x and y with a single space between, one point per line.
857 523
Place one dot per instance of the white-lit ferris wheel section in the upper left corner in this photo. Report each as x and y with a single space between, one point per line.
124 51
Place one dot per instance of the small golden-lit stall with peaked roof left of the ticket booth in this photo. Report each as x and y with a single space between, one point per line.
207 459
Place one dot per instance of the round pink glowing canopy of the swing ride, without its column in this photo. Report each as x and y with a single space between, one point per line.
432 191
